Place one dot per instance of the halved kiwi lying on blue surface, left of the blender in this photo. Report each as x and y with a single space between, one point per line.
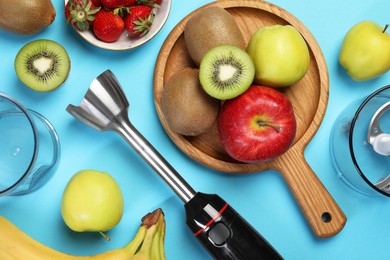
42 65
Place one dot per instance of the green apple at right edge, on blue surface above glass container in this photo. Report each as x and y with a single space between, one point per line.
365 51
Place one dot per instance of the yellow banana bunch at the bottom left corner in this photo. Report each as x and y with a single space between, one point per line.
148 243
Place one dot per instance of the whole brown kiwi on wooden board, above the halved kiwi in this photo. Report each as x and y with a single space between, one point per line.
211 27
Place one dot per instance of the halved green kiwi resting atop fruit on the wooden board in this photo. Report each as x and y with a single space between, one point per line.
226 71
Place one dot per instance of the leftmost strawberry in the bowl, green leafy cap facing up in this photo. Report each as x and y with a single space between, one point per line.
80 13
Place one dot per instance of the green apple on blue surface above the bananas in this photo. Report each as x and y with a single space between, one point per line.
92 201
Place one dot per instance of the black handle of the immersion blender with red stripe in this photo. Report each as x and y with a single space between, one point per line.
223 232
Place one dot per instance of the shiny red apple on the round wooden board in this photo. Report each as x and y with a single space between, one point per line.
258 125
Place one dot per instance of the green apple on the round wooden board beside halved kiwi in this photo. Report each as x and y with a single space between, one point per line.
280 55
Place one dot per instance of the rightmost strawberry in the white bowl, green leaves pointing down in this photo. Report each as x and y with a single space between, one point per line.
139 20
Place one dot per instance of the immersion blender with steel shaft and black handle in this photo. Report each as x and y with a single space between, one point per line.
219 228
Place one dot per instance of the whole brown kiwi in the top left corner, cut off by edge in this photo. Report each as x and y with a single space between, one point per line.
26 17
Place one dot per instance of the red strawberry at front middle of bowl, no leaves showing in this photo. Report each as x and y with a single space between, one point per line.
108 27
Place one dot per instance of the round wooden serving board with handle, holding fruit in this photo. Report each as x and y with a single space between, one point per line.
309 98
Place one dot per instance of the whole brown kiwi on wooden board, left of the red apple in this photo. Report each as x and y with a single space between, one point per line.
187 108
